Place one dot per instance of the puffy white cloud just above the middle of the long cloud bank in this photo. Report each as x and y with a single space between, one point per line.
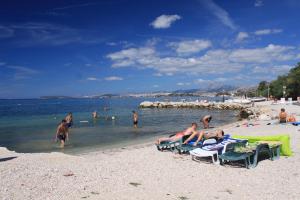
190 46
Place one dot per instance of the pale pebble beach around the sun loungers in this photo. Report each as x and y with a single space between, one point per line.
141 172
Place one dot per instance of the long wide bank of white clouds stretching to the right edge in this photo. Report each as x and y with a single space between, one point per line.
217 61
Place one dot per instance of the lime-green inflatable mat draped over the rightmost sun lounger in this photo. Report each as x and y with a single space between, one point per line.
285 148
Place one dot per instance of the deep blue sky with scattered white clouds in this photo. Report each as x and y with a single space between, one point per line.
118 46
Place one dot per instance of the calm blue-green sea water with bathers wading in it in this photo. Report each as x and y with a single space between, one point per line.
29 125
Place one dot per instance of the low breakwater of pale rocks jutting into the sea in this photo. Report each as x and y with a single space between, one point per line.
194 104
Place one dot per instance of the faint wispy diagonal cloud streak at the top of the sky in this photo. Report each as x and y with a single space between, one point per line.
220 13
